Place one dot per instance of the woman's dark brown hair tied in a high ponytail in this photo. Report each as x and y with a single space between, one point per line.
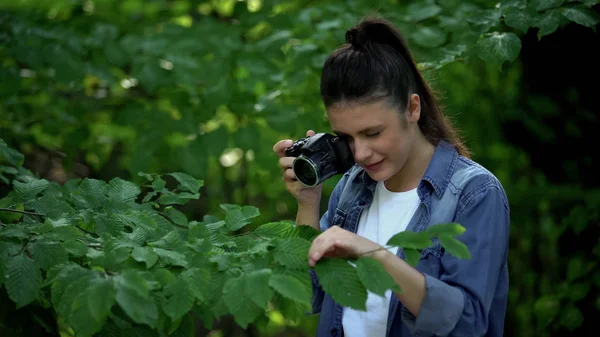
376 64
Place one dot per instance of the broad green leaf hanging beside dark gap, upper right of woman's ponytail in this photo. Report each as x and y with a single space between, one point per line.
498 48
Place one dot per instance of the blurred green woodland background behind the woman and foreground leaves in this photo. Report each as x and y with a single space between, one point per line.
111 88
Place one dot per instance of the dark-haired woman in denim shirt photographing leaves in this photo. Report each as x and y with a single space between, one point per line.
411 171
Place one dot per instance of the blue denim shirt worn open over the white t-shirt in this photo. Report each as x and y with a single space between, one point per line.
463 297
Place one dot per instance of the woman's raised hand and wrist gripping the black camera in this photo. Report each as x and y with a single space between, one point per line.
306 196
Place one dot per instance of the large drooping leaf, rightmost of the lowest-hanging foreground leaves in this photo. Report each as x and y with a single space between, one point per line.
238 300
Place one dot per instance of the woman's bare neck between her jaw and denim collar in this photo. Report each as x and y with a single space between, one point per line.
412 172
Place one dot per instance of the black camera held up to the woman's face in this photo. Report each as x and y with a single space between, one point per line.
319 157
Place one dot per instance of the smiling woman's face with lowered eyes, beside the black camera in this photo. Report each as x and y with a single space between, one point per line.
380 138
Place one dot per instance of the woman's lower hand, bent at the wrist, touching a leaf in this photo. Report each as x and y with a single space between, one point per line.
338 242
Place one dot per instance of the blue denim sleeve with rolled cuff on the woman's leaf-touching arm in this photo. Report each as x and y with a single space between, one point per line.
458 304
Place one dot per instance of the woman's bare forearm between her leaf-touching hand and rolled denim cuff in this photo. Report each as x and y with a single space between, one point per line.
410 280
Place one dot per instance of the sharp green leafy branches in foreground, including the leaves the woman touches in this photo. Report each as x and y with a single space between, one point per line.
145 264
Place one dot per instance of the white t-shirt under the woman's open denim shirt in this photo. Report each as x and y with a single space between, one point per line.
388 215
